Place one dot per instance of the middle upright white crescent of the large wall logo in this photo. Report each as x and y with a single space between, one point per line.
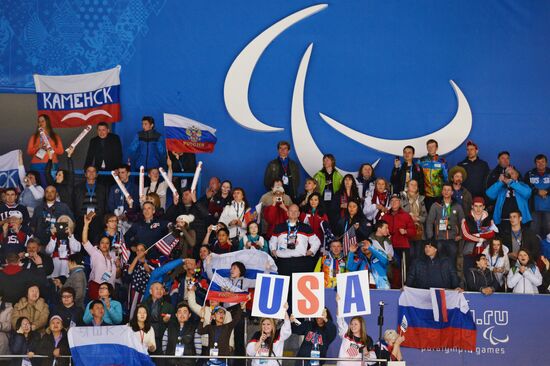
306 149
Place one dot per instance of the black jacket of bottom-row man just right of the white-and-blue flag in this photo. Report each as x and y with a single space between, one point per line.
187 334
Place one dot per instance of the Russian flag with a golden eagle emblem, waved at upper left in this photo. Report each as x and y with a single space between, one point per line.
184 135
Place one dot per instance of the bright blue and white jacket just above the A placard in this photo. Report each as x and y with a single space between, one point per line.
377 264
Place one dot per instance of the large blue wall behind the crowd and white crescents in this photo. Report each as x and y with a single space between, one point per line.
381 67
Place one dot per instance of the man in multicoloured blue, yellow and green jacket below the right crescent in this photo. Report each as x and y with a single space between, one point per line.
434 168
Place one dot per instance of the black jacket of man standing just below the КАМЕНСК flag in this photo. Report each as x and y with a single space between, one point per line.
110 152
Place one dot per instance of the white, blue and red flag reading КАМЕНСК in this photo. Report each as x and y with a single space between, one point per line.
79 100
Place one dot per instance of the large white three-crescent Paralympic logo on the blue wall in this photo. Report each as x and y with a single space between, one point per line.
236 101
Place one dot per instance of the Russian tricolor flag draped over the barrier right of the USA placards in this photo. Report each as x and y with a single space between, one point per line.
437 318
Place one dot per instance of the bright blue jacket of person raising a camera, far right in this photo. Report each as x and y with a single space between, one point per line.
522 192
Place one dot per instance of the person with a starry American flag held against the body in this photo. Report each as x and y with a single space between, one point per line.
139 272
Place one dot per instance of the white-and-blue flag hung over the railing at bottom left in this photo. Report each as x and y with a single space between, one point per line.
111 345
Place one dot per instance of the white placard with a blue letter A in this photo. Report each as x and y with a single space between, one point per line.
354 293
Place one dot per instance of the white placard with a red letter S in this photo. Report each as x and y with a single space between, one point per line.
308 294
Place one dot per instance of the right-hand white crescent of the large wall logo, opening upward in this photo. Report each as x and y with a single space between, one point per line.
449 137
